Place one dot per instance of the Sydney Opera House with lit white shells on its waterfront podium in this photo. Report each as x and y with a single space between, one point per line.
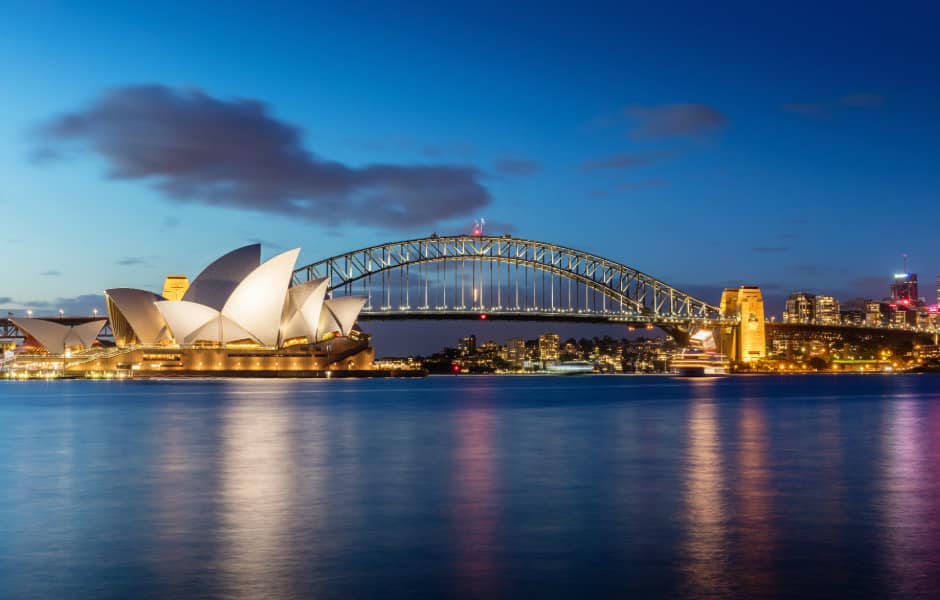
239 316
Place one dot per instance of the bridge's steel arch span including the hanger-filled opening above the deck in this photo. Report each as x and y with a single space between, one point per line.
455 276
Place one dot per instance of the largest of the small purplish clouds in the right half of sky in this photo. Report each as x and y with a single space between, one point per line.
675 120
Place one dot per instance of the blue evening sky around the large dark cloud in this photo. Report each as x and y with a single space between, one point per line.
802 154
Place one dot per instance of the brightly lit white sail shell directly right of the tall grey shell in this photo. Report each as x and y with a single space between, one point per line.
257 304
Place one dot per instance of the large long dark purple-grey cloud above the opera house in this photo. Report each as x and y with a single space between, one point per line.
195 148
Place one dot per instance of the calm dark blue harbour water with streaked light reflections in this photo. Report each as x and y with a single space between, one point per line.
471 487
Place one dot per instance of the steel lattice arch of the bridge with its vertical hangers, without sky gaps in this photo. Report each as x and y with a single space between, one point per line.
627 295
